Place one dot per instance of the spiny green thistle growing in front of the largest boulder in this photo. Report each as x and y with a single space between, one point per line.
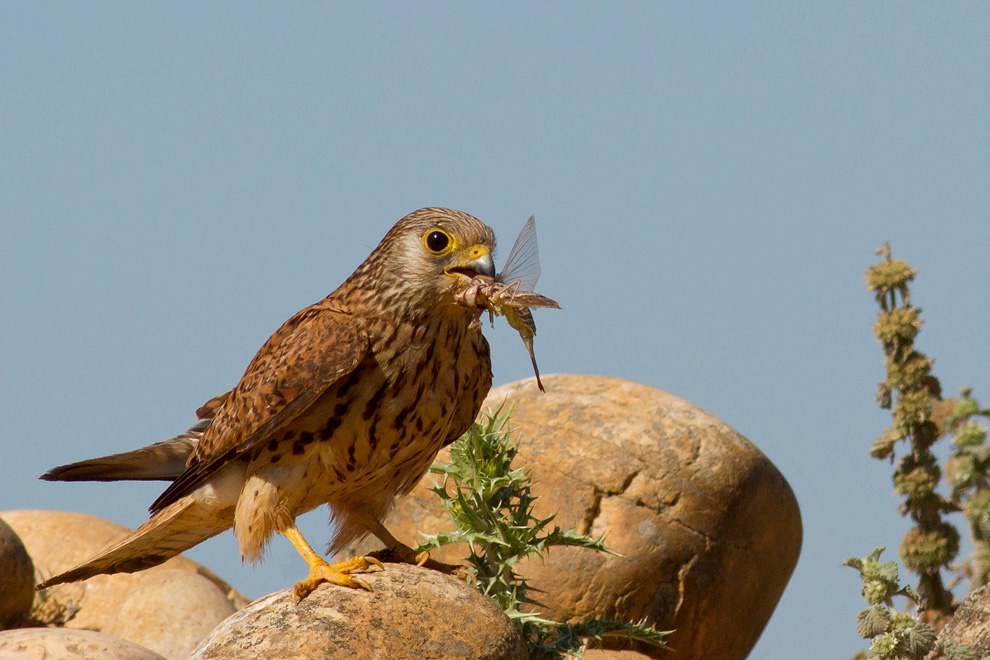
491 506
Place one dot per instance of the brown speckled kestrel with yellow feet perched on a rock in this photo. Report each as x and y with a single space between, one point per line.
346 404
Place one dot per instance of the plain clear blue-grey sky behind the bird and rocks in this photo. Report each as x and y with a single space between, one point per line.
709 182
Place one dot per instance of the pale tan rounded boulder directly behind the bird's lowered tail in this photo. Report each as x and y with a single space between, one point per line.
58 541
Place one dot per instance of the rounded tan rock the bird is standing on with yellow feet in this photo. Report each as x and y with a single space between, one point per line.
412 613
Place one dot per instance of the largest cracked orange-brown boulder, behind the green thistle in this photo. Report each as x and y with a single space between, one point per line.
708 529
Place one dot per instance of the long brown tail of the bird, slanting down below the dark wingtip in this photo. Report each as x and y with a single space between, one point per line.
169 532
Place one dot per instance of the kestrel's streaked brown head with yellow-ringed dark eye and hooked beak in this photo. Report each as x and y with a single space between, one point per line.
428 253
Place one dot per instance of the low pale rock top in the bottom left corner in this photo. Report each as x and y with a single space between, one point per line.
66 644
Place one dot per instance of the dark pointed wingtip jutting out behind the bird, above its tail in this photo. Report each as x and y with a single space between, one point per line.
162 461
